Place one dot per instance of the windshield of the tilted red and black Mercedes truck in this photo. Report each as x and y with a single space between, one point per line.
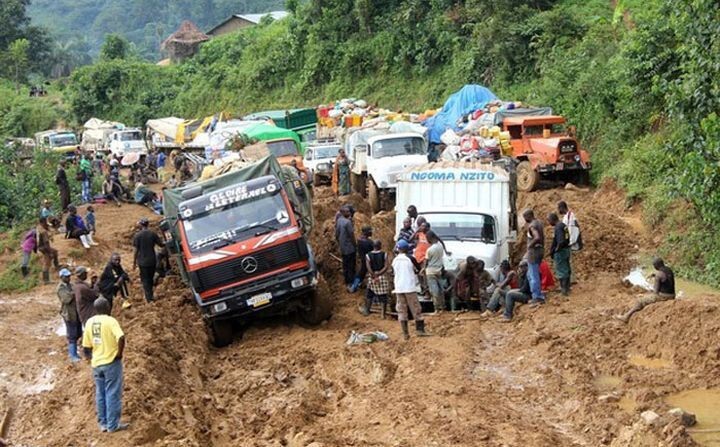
236 222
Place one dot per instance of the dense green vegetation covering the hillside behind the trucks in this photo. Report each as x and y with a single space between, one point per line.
639 79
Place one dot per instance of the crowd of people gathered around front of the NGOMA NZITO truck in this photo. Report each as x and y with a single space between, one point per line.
418 268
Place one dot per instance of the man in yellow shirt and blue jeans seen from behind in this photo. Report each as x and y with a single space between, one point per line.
104 343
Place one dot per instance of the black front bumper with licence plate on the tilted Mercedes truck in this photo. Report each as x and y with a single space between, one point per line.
267 296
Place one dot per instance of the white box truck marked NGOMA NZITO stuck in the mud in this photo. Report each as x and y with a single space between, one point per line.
470 205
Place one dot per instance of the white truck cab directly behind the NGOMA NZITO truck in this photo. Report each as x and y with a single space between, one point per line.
377 159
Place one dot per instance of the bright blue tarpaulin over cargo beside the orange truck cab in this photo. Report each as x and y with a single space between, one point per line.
468 99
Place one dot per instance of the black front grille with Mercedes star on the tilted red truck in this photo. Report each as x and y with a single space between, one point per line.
235 270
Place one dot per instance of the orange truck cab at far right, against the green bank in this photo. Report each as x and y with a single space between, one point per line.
543 147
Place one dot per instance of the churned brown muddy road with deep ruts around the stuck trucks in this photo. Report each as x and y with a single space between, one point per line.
563 374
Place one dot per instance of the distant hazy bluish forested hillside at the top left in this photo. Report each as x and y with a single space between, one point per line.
80 26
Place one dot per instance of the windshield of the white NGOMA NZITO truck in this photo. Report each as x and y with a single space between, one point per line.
463 226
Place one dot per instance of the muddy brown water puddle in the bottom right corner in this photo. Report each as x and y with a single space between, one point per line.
705 404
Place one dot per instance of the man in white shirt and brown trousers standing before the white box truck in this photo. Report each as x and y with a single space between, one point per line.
406 291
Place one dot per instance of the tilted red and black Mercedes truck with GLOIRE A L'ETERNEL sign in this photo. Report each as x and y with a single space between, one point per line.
240 242
